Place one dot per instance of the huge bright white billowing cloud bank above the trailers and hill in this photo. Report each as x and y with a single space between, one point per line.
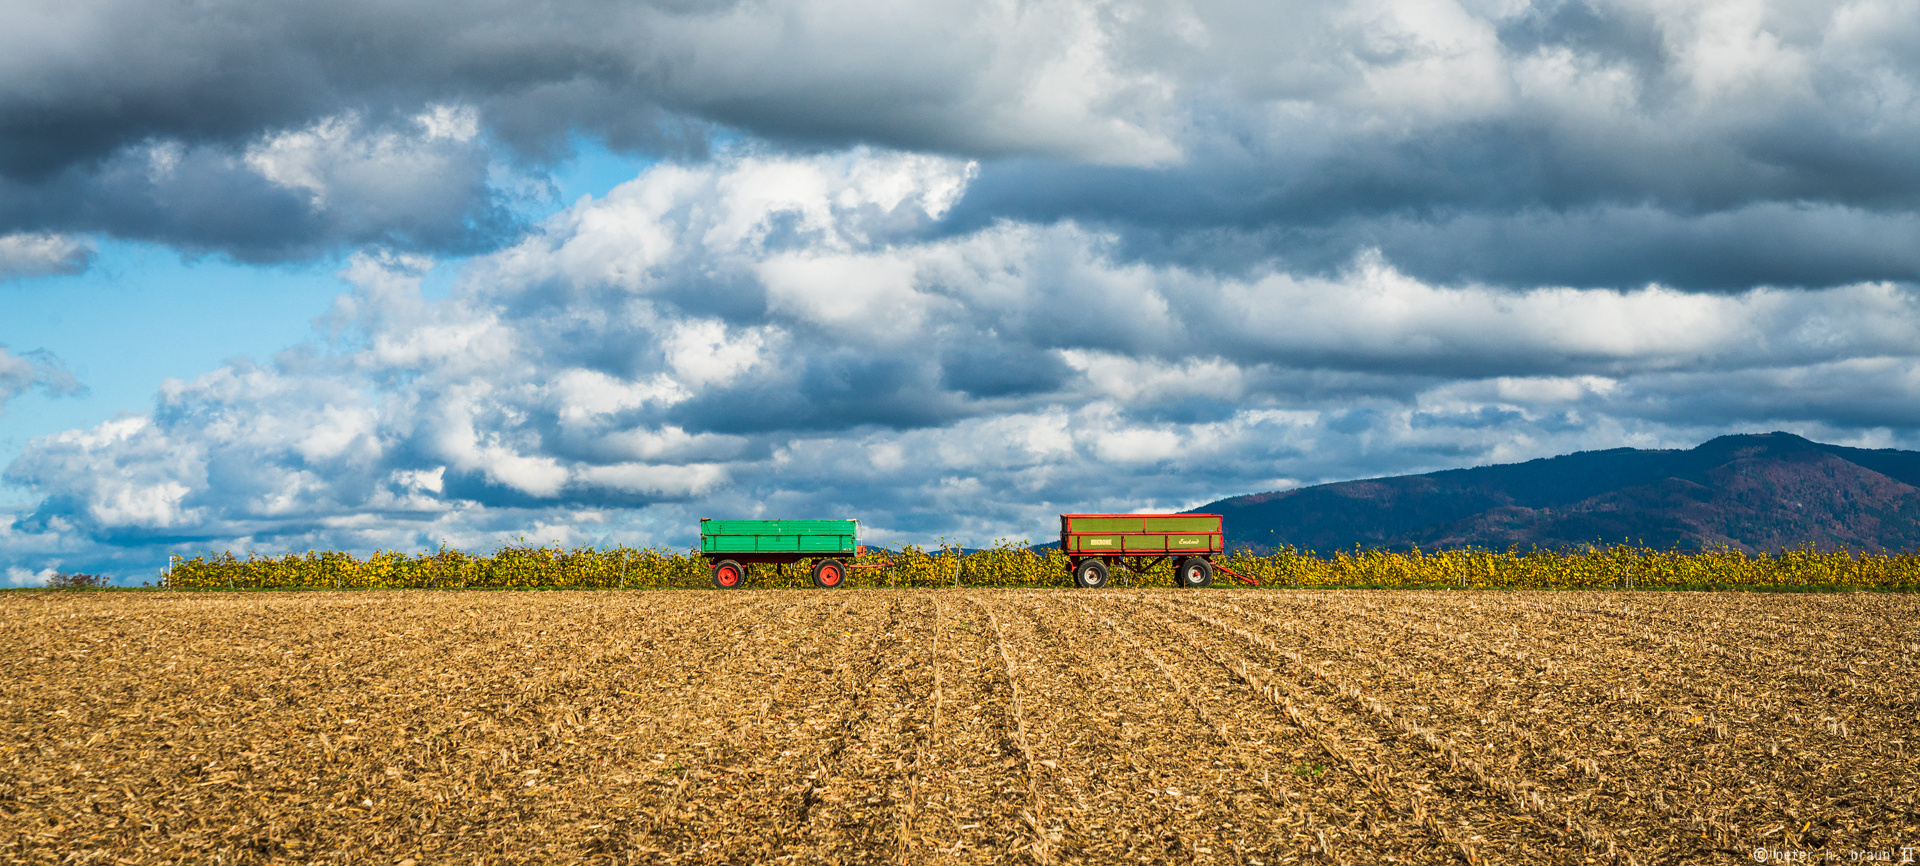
798 335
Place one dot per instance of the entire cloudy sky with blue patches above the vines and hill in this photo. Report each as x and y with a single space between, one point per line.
283 277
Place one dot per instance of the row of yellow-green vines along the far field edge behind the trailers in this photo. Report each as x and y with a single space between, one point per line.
1621 567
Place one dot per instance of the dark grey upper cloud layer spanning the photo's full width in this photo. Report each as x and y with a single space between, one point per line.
1602 143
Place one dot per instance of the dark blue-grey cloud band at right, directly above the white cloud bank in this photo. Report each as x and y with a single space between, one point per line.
1470 224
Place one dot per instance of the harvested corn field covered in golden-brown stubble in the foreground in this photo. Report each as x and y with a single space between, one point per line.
957 727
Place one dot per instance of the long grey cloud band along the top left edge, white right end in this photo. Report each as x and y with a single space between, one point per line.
101 76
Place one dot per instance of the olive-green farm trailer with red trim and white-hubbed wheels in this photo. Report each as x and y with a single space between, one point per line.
1140 542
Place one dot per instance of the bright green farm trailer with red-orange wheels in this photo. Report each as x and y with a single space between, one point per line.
734 544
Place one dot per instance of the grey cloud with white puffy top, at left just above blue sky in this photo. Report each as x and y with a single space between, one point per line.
418 183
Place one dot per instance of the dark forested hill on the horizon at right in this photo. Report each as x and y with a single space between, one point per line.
1762 493
